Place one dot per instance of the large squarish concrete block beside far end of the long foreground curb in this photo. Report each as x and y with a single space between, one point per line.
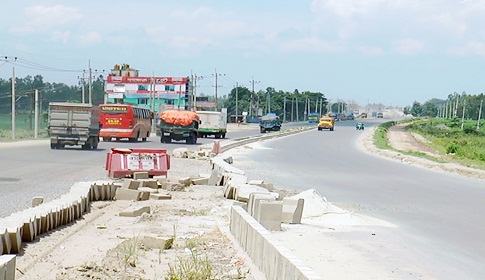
268 214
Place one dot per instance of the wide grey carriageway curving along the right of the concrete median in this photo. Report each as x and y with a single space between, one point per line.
438 217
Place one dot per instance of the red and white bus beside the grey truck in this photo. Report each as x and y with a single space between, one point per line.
125 121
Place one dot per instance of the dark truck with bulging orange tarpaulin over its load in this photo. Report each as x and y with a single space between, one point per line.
178 125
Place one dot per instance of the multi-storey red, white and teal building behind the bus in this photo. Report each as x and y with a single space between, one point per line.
124 85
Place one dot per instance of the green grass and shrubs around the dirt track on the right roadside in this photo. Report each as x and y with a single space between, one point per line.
459 141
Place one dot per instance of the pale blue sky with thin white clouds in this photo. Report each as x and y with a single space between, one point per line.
361 51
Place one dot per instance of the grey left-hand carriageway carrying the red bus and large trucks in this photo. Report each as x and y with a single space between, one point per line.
31 168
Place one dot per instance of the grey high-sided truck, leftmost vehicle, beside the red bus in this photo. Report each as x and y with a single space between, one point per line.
73 124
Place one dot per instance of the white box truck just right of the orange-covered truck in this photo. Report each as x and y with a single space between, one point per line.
212 123
